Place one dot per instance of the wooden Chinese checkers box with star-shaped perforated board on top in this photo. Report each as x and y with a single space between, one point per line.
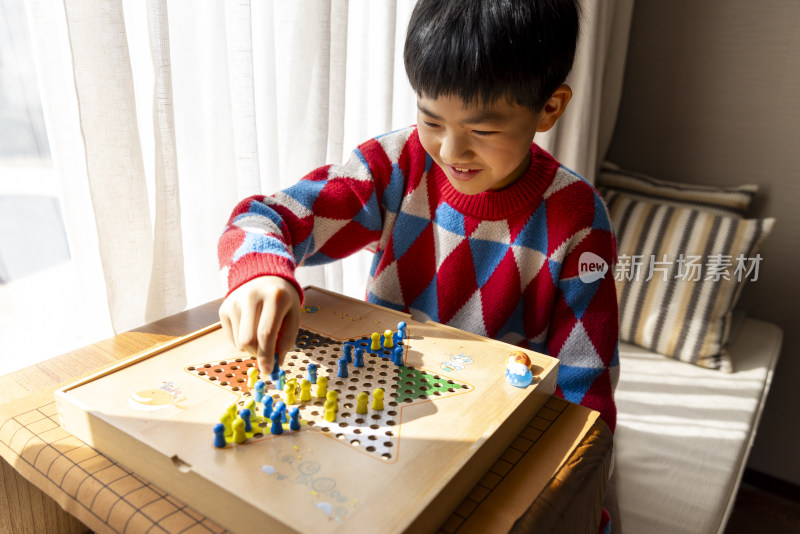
448 413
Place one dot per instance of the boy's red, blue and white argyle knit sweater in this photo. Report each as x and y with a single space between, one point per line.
503 264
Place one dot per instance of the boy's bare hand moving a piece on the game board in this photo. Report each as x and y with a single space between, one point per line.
262 317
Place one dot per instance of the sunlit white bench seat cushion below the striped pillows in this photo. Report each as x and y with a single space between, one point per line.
684 433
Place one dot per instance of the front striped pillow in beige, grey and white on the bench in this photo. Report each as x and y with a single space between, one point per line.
679 274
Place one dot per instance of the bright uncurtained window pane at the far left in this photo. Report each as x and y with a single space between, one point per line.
42 305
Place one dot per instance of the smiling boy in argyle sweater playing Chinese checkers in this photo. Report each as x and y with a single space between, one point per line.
472 224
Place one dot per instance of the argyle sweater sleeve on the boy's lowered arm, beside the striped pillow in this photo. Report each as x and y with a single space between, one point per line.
584 326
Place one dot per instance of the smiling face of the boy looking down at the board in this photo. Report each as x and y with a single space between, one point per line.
479 147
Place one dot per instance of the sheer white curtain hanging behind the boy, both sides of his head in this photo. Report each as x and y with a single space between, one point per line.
161 115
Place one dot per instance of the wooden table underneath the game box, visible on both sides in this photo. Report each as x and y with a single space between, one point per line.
515 495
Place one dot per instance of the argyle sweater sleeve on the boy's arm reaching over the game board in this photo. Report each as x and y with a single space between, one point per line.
329 214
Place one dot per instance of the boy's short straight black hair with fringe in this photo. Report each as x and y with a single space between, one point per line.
484 50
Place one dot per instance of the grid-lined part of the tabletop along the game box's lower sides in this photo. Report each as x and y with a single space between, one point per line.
108 498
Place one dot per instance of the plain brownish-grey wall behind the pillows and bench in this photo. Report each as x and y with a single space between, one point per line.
712 95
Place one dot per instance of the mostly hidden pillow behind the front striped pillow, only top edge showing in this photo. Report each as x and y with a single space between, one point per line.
720 200
